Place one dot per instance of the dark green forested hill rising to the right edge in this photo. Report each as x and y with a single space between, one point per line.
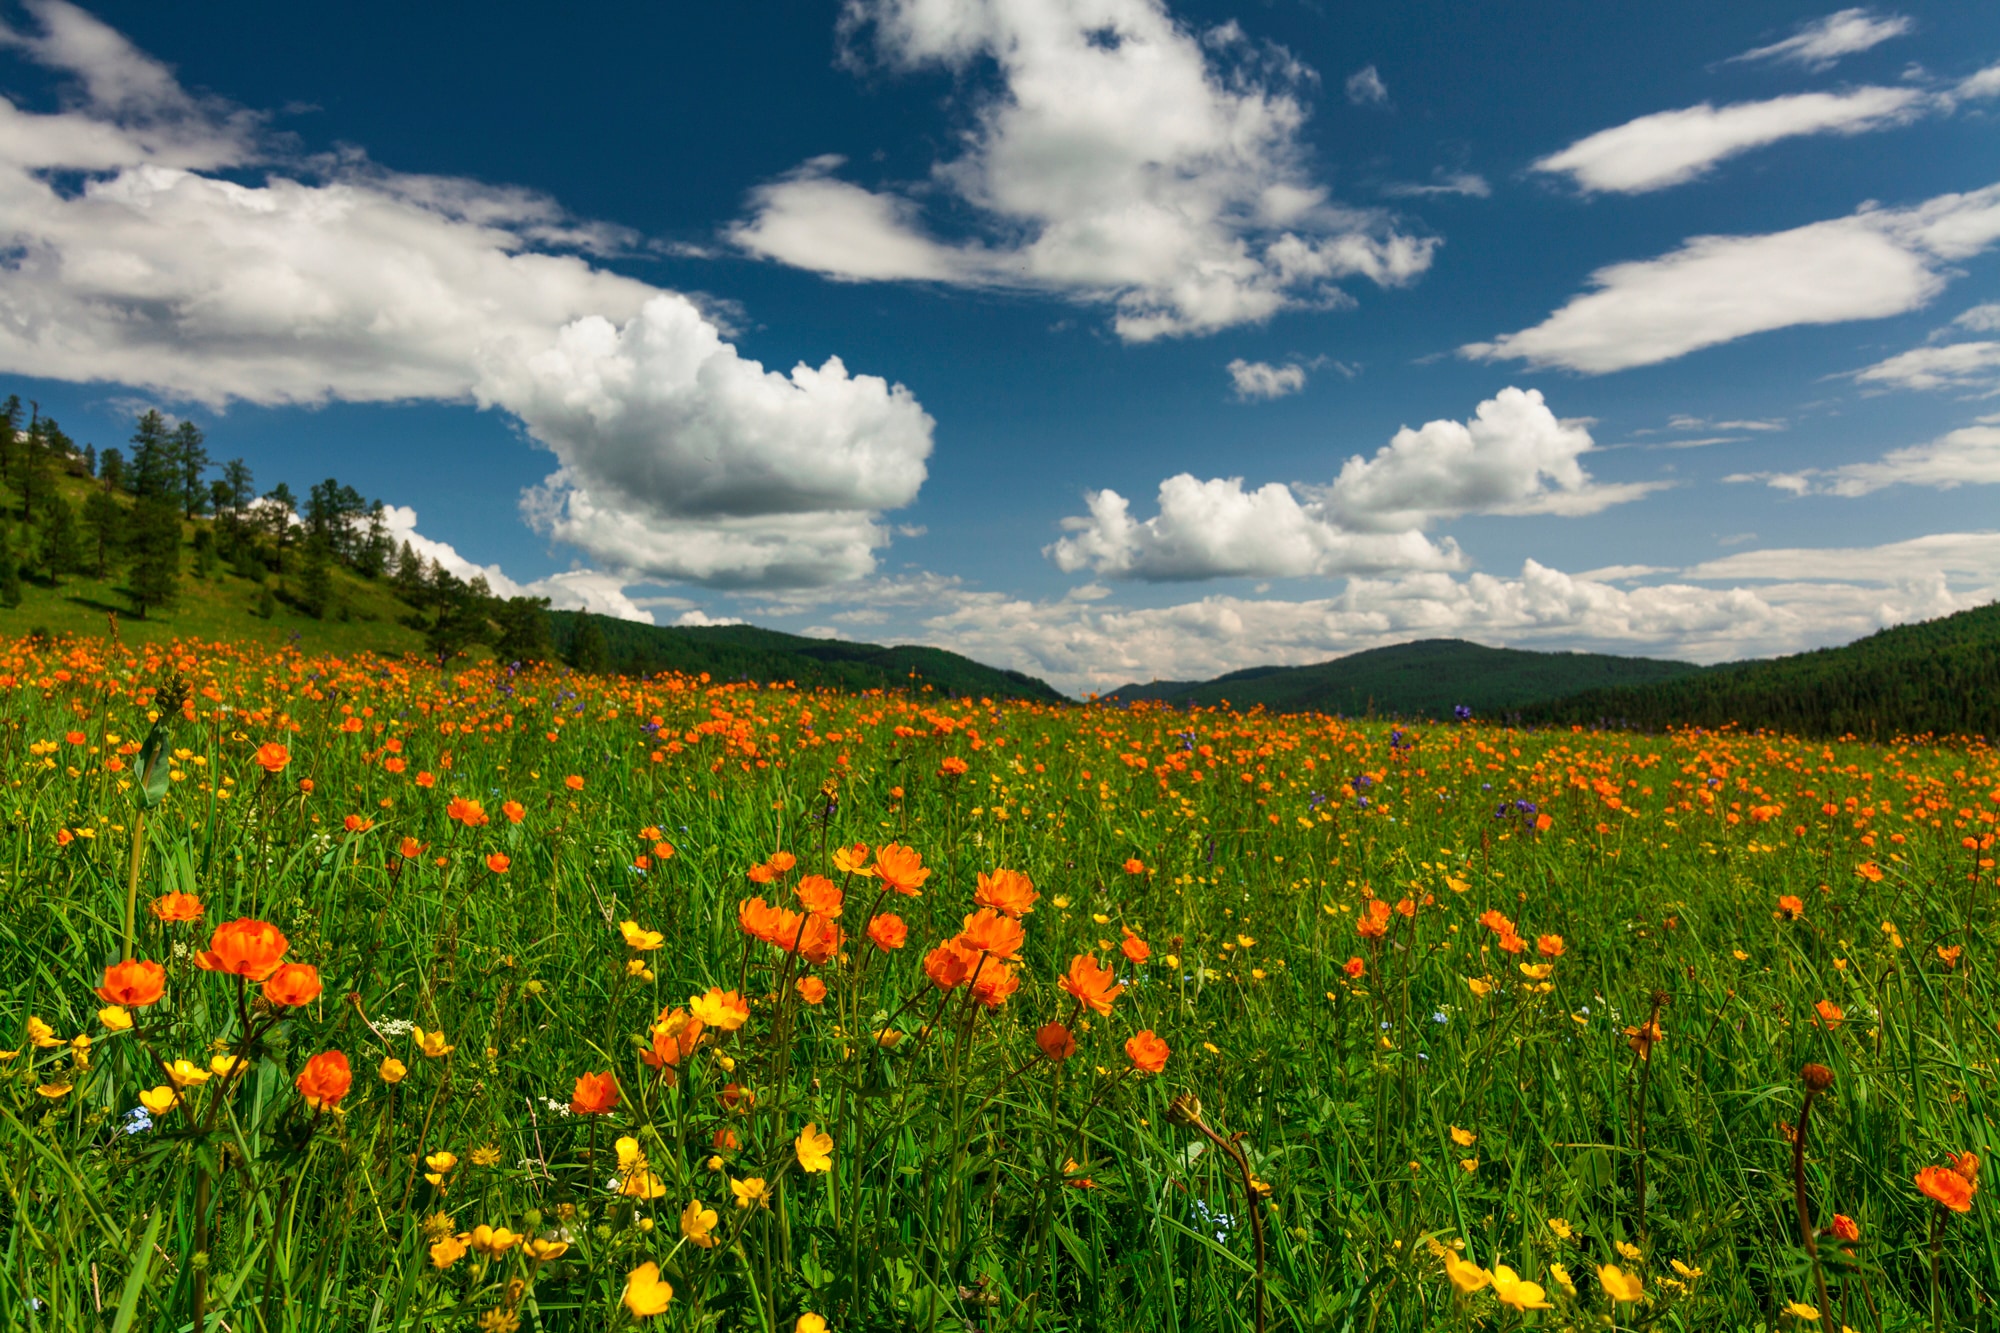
1937 678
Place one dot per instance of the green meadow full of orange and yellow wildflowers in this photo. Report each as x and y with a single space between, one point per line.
347 994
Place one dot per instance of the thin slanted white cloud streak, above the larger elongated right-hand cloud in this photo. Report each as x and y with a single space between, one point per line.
1675 147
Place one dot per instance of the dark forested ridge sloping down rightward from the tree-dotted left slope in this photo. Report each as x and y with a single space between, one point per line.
749 653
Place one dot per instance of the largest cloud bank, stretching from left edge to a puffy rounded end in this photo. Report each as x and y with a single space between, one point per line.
133 261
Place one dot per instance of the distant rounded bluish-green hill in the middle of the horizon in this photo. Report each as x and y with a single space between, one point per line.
1415 680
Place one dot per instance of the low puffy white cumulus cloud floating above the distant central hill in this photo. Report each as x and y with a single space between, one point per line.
1515 457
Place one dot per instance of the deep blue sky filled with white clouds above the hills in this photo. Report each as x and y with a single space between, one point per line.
1101 339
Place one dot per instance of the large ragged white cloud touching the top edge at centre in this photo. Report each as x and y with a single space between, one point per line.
1123 159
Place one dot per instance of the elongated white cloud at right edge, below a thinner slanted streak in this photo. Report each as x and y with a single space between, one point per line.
1715 289
